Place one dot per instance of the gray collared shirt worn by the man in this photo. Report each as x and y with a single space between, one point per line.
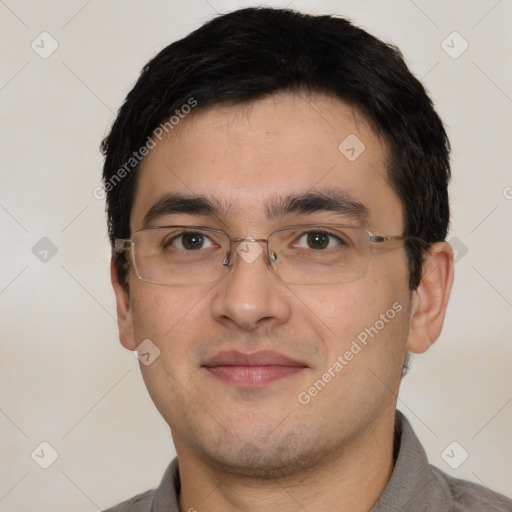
414 486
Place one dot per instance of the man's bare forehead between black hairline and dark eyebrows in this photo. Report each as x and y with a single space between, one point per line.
246 157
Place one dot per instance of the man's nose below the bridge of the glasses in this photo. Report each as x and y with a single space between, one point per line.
251 294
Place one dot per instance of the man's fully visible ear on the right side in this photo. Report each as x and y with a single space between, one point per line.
430 299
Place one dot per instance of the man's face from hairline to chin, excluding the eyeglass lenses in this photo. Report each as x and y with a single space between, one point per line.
255 374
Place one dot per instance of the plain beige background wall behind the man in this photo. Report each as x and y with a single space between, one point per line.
64 377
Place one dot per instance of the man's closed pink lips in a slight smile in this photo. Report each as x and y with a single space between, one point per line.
252 370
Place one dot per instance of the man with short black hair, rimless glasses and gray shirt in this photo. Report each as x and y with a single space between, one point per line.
277 203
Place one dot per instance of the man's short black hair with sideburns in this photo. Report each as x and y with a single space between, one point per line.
253 53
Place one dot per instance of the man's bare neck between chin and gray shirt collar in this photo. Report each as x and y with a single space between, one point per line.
350 480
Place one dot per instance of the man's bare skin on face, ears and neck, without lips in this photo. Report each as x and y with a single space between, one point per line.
252 449
